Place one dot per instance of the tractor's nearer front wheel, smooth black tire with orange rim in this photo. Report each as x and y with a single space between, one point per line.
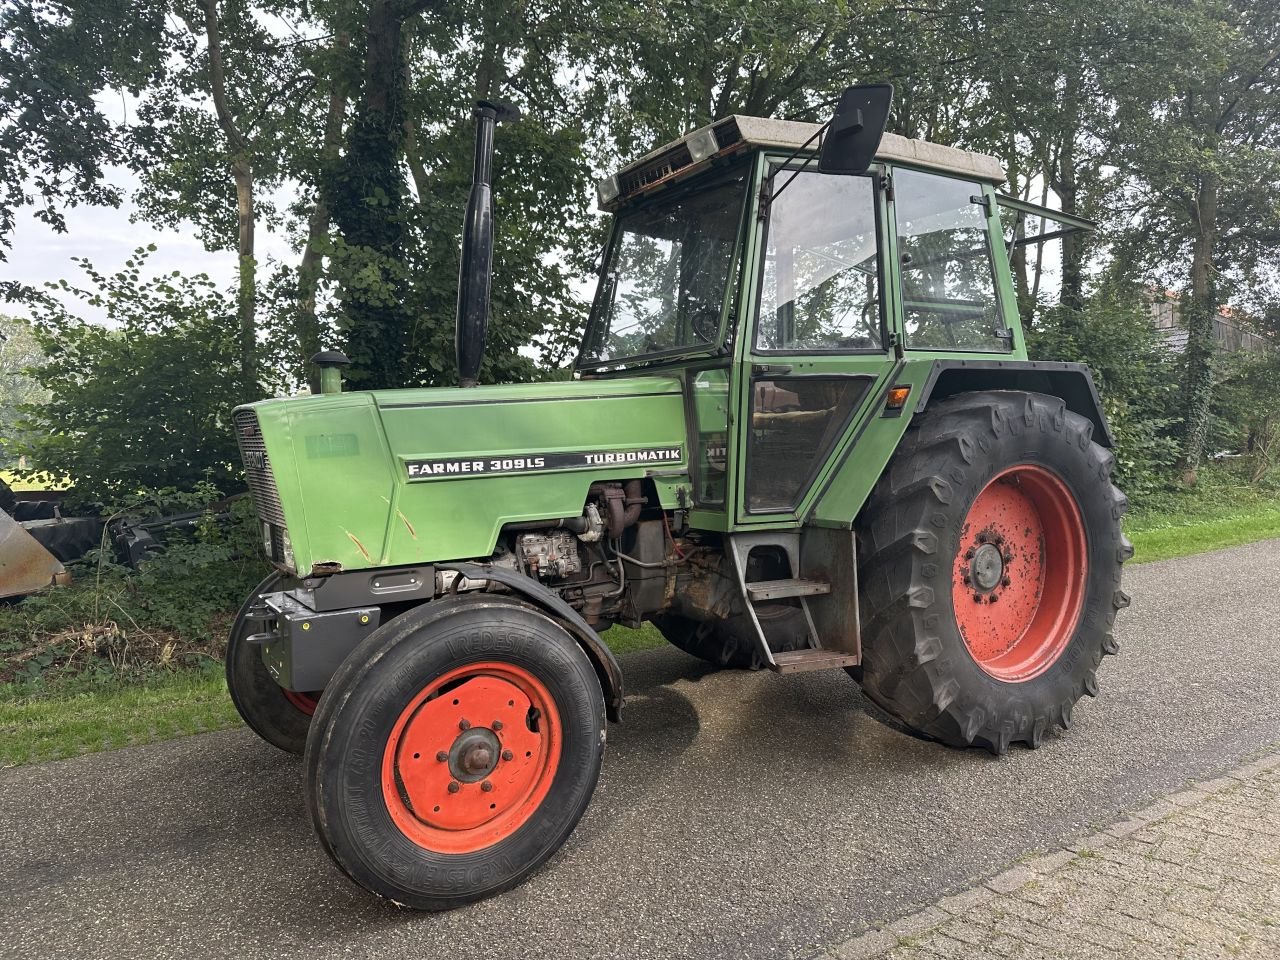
455 751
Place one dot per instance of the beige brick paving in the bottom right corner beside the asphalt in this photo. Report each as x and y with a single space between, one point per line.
1192 877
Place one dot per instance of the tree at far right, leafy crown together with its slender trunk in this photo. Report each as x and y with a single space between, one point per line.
1201 145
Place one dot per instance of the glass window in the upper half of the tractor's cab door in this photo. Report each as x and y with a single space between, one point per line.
821 286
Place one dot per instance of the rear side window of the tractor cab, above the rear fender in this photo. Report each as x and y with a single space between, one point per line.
949 286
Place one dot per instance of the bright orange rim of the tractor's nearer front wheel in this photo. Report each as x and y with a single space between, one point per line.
472 758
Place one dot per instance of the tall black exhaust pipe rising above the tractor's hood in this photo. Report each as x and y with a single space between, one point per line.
477 267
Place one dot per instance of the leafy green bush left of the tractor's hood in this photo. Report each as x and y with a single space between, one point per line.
140 404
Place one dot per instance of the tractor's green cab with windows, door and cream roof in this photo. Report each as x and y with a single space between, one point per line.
797 304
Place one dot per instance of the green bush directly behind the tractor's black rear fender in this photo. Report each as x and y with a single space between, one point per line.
1136 378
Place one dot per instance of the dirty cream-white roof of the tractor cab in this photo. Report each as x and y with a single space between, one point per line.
738 134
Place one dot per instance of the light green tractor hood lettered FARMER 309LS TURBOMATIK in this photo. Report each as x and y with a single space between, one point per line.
423 476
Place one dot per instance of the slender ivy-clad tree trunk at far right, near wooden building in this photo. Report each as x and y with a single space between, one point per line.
1199 317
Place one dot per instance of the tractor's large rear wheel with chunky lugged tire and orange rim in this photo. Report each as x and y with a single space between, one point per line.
990 572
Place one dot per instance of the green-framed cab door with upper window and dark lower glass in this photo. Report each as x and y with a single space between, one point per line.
820 353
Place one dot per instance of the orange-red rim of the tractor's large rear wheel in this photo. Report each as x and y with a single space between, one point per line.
1020 574
